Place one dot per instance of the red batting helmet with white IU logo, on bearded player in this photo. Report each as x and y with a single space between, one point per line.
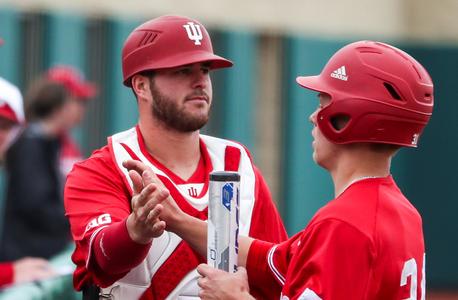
166 42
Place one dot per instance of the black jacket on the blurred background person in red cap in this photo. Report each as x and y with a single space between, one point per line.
34 221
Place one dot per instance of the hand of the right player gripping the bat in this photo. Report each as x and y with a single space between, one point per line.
217 284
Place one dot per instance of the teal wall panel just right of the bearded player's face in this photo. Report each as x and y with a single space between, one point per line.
234 89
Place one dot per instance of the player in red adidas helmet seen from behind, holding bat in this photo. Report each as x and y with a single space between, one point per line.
367 243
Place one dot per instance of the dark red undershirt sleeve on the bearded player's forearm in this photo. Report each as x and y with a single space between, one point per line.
114 252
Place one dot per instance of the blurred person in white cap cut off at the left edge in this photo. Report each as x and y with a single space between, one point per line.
11 122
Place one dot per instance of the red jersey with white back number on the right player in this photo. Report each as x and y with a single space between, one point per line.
365 244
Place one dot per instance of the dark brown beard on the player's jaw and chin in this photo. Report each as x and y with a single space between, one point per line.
174 117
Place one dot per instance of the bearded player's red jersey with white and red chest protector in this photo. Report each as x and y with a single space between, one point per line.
97 201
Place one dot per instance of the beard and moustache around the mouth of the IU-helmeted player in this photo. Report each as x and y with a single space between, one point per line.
175 114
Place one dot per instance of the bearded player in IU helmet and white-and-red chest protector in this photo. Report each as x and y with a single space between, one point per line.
166 62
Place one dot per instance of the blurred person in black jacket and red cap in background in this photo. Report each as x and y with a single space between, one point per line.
37 163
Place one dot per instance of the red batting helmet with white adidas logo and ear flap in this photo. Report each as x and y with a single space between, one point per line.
384 92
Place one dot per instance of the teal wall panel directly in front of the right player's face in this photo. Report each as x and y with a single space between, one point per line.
305 186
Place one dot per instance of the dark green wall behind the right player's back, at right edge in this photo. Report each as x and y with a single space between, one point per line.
428 175
